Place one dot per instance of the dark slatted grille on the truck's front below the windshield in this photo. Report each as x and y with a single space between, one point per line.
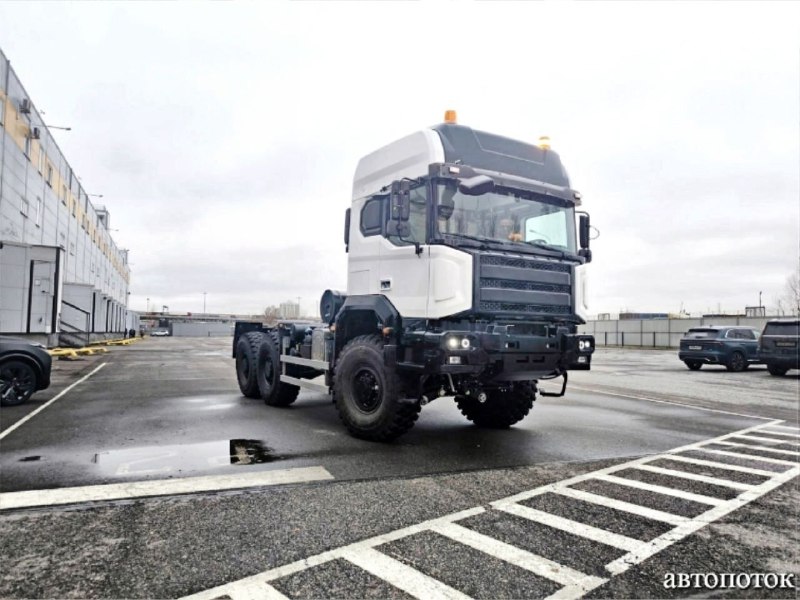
523 286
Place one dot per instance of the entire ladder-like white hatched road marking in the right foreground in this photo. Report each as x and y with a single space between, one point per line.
366 556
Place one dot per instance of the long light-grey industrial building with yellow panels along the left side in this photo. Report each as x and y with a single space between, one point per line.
63 280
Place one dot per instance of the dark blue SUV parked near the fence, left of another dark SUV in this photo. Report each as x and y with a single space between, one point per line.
736 348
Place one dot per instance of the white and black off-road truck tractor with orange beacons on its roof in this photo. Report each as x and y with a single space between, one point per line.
466 260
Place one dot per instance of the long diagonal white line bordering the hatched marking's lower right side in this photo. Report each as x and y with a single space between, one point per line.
624 563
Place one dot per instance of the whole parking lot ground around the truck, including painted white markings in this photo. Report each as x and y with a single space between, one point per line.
154 477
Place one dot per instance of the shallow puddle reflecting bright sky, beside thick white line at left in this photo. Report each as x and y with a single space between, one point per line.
185 457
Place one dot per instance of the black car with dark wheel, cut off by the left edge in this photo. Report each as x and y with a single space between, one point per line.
24 369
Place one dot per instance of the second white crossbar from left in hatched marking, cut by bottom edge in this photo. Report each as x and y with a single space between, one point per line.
402 576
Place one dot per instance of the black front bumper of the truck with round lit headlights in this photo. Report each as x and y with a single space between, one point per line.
496 354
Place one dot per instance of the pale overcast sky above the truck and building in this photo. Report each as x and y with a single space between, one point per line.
224 137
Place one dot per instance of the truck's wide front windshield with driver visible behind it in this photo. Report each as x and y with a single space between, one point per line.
506 216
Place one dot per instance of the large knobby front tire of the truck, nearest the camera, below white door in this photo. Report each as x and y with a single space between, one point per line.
369 396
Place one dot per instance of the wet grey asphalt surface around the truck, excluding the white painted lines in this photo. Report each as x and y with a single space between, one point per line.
170 408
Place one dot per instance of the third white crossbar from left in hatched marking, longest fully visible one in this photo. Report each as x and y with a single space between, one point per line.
517 556
